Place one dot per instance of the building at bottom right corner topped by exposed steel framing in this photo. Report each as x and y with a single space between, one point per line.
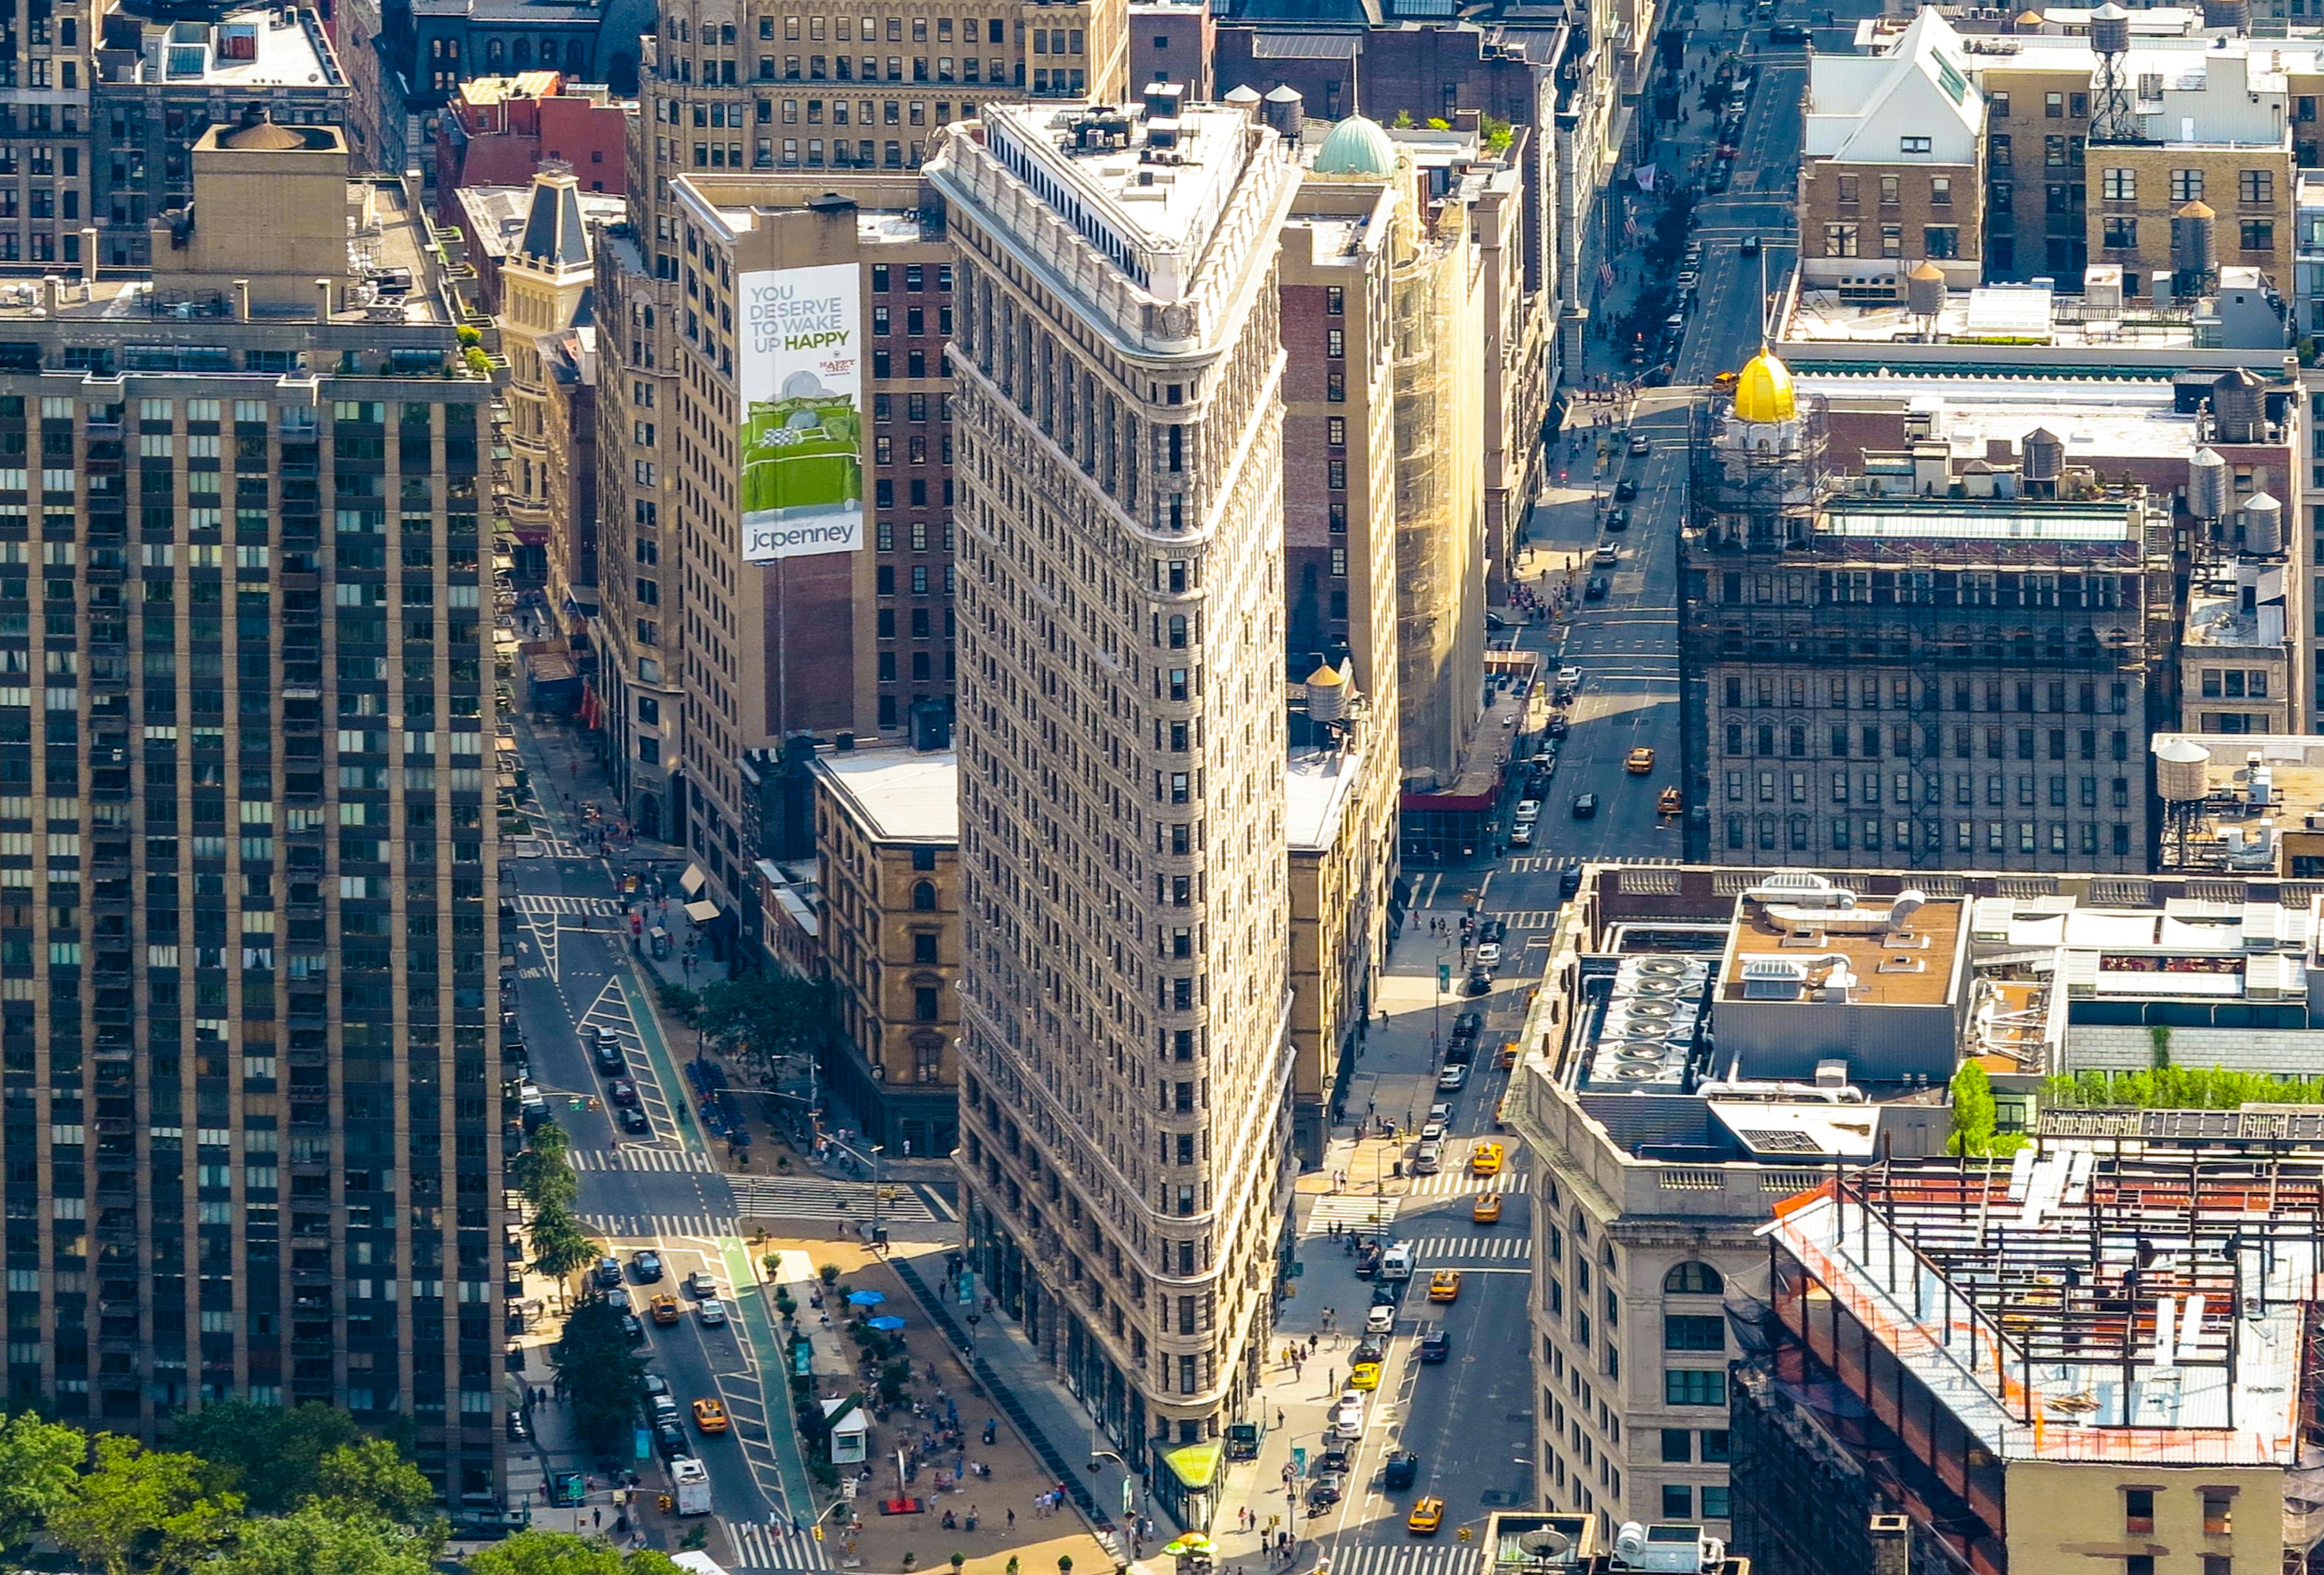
2102 1353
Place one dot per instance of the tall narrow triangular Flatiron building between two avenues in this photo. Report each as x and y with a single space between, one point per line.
1126 1053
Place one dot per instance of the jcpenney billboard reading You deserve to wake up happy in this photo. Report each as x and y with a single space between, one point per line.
803 475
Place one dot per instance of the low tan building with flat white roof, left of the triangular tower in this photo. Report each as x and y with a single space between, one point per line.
889 856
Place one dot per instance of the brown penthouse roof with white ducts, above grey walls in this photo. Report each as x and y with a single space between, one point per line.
1819 942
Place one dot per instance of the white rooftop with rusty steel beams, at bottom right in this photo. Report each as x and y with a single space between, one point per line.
2086 1302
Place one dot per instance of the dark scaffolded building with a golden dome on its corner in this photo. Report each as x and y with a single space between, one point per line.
1930 670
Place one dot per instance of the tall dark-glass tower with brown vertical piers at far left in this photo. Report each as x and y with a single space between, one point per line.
252 1116
